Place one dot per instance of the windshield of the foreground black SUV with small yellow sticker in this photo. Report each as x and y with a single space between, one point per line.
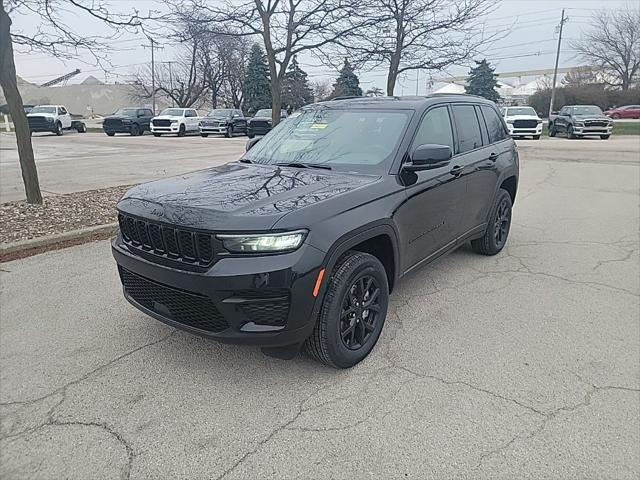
354 140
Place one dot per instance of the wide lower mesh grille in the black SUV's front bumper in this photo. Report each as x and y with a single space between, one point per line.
184 307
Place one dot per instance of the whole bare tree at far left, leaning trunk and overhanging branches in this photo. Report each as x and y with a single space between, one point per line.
50 35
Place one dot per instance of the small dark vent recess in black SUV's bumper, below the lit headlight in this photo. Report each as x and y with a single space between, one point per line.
265 307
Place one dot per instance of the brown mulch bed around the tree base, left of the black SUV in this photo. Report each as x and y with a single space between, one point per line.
59 214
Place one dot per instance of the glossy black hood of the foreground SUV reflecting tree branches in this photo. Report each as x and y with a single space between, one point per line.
239 196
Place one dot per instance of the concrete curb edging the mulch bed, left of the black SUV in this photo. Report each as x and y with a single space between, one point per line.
34 246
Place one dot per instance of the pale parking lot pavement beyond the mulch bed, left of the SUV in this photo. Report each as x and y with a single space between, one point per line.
77 162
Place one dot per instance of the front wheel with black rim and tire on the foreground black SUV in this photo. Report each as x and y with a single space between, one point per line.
341 339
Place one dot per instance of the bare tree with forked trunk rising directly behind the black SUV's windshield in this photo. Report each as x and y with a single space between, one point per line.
286 27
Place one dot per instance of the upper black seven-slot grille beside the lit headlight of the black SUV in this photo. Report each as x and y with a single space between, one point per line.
195 248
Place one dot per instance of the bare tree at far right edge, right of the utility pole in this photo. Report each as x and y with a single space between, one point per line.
613 44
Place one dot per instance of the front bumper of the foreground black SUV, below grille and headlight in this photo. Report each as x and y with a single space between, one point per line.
265 300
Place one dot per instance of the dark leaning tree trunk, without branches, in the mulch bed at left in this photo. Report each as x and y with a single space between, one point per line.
16 108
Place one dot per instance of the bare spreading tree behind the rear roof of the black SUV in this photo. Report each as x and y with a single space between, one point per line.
405 35
